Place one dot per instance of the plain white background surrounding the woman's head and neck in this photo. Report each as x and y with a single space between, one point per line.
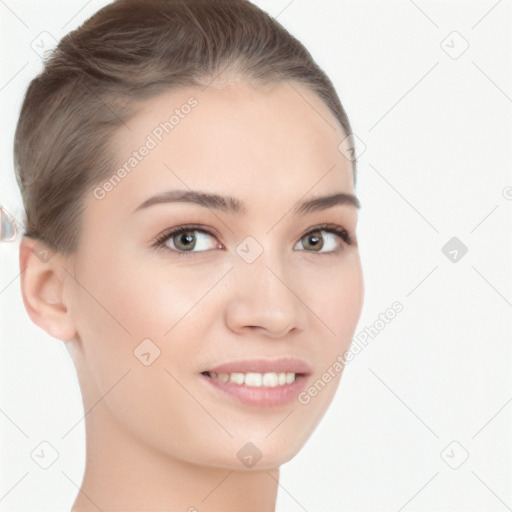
436 134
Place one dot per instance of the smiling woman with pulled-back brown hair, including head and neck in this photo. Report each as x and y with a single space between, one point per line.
188 178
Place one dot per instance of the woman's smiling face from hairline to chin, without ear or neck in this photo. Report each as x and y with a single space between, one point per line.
254 284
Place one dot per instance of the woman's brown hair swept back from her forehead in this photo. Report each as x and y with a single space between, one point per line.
127 52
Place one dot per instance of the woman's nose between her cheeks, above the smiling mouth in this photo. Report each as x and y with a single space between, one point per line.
262 298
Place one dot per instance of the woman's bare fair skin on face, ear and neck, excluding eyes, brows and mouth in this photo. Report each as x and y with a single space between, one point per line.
151 445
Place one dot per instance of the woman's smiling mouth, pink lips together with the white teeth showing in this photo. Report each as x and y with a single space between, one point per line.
261 383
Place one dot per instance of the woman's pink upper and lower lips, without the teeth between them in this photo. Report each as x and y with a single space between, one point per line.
261 396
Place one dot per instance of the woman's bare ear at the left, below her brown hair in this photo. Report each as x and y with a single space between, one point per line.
42 288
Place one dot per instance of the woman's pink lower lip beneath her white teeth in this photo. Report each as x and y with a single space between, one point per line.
259 396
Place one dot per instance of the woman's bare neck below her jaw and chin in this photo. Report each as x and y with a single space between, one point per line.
123 473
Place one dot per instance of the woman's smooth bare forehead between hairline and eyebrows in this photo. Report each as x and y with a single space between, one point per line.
240 138
